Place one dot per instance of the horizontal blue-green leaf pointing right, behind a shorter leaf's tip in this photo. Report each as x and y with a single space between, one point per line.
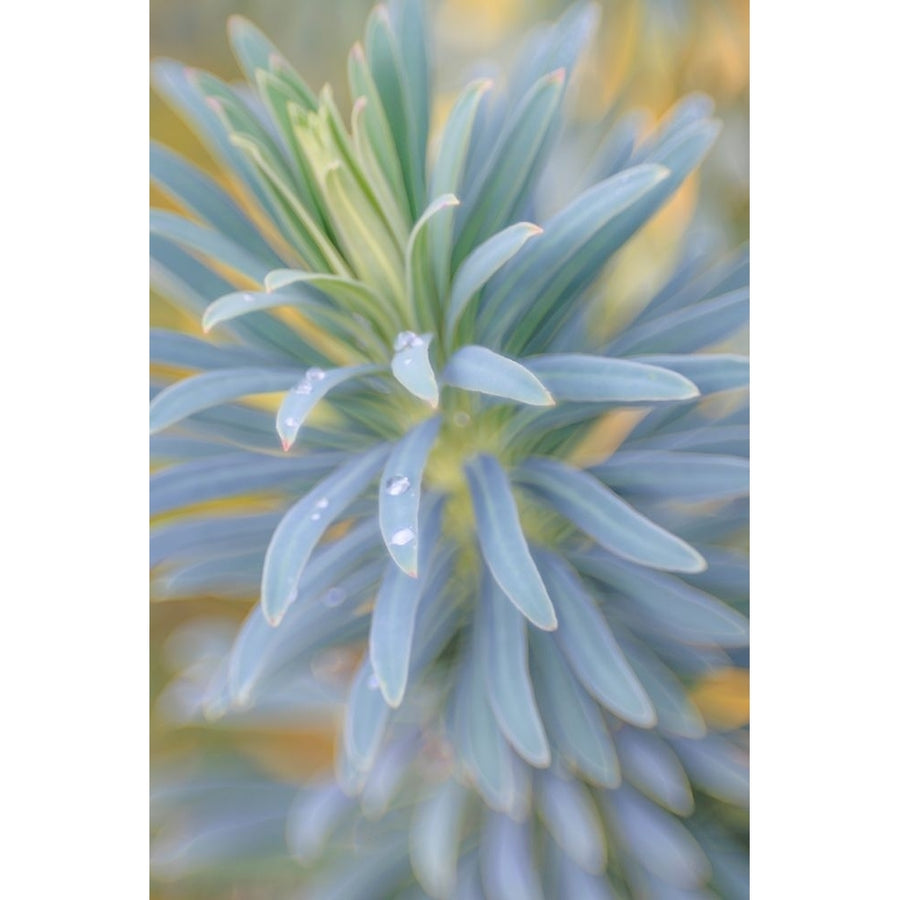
598 379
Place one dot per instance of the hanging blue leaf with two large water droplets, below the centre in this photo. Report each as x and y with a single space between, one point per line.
400 494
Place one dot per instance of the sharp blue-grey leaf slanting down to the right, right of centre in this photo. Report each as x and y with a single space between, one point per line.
606 518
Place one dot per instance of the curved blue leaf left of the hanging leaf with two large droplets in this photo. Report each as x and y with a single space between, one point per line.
303 526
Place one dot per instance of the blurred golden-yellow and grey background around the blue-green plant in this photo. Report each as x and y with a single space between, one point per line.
646 55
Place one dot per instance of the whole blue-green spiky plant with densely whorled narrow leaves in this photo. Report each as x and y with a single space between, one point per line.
504 593
